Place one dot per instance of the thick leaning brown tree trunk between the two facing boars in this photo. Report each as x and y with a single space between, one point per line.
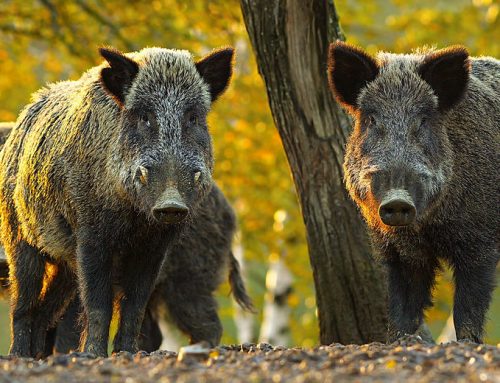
290 39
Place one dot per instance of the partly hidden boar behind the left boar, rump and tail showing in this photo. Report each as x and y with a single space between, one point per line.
192 270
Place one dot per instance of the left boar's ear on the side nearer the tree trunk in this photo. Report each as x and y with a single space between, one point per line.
216 69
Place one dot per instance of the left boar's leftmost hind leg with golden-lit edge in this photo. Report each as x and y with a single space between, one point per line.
27 272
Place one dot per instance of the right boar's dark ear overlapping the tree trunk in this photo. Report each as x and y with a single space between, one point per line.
349 70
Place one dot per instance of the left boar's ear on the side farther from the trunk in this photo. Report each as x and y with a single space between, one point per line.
118 77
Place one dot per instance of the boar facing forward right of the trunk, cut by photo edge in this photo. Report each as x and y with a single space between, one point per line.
422 164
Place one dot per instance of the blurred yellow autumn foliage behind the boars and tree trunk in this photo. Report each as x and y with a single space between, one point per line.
50 40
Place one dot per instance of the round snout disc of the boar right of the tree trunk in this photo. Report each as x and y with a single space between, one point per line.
397 209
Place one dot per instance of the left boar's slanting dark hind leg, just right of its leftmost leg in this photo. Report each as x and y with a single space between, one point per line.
58 294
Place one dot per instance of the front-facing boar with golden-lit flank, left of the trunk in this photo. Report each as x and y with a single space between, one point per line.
97 180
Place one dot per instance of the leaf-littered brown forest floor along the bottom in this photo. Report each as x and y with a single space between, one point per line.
408 360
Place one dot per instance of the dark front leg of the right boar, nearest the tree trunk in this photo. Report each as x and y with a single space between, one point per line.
410 288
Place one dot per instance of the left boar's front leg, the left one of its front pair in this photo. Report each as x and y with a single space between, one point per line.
94 273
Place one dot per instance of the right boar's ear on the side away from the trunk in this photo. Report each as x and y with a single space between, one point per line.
447 72
